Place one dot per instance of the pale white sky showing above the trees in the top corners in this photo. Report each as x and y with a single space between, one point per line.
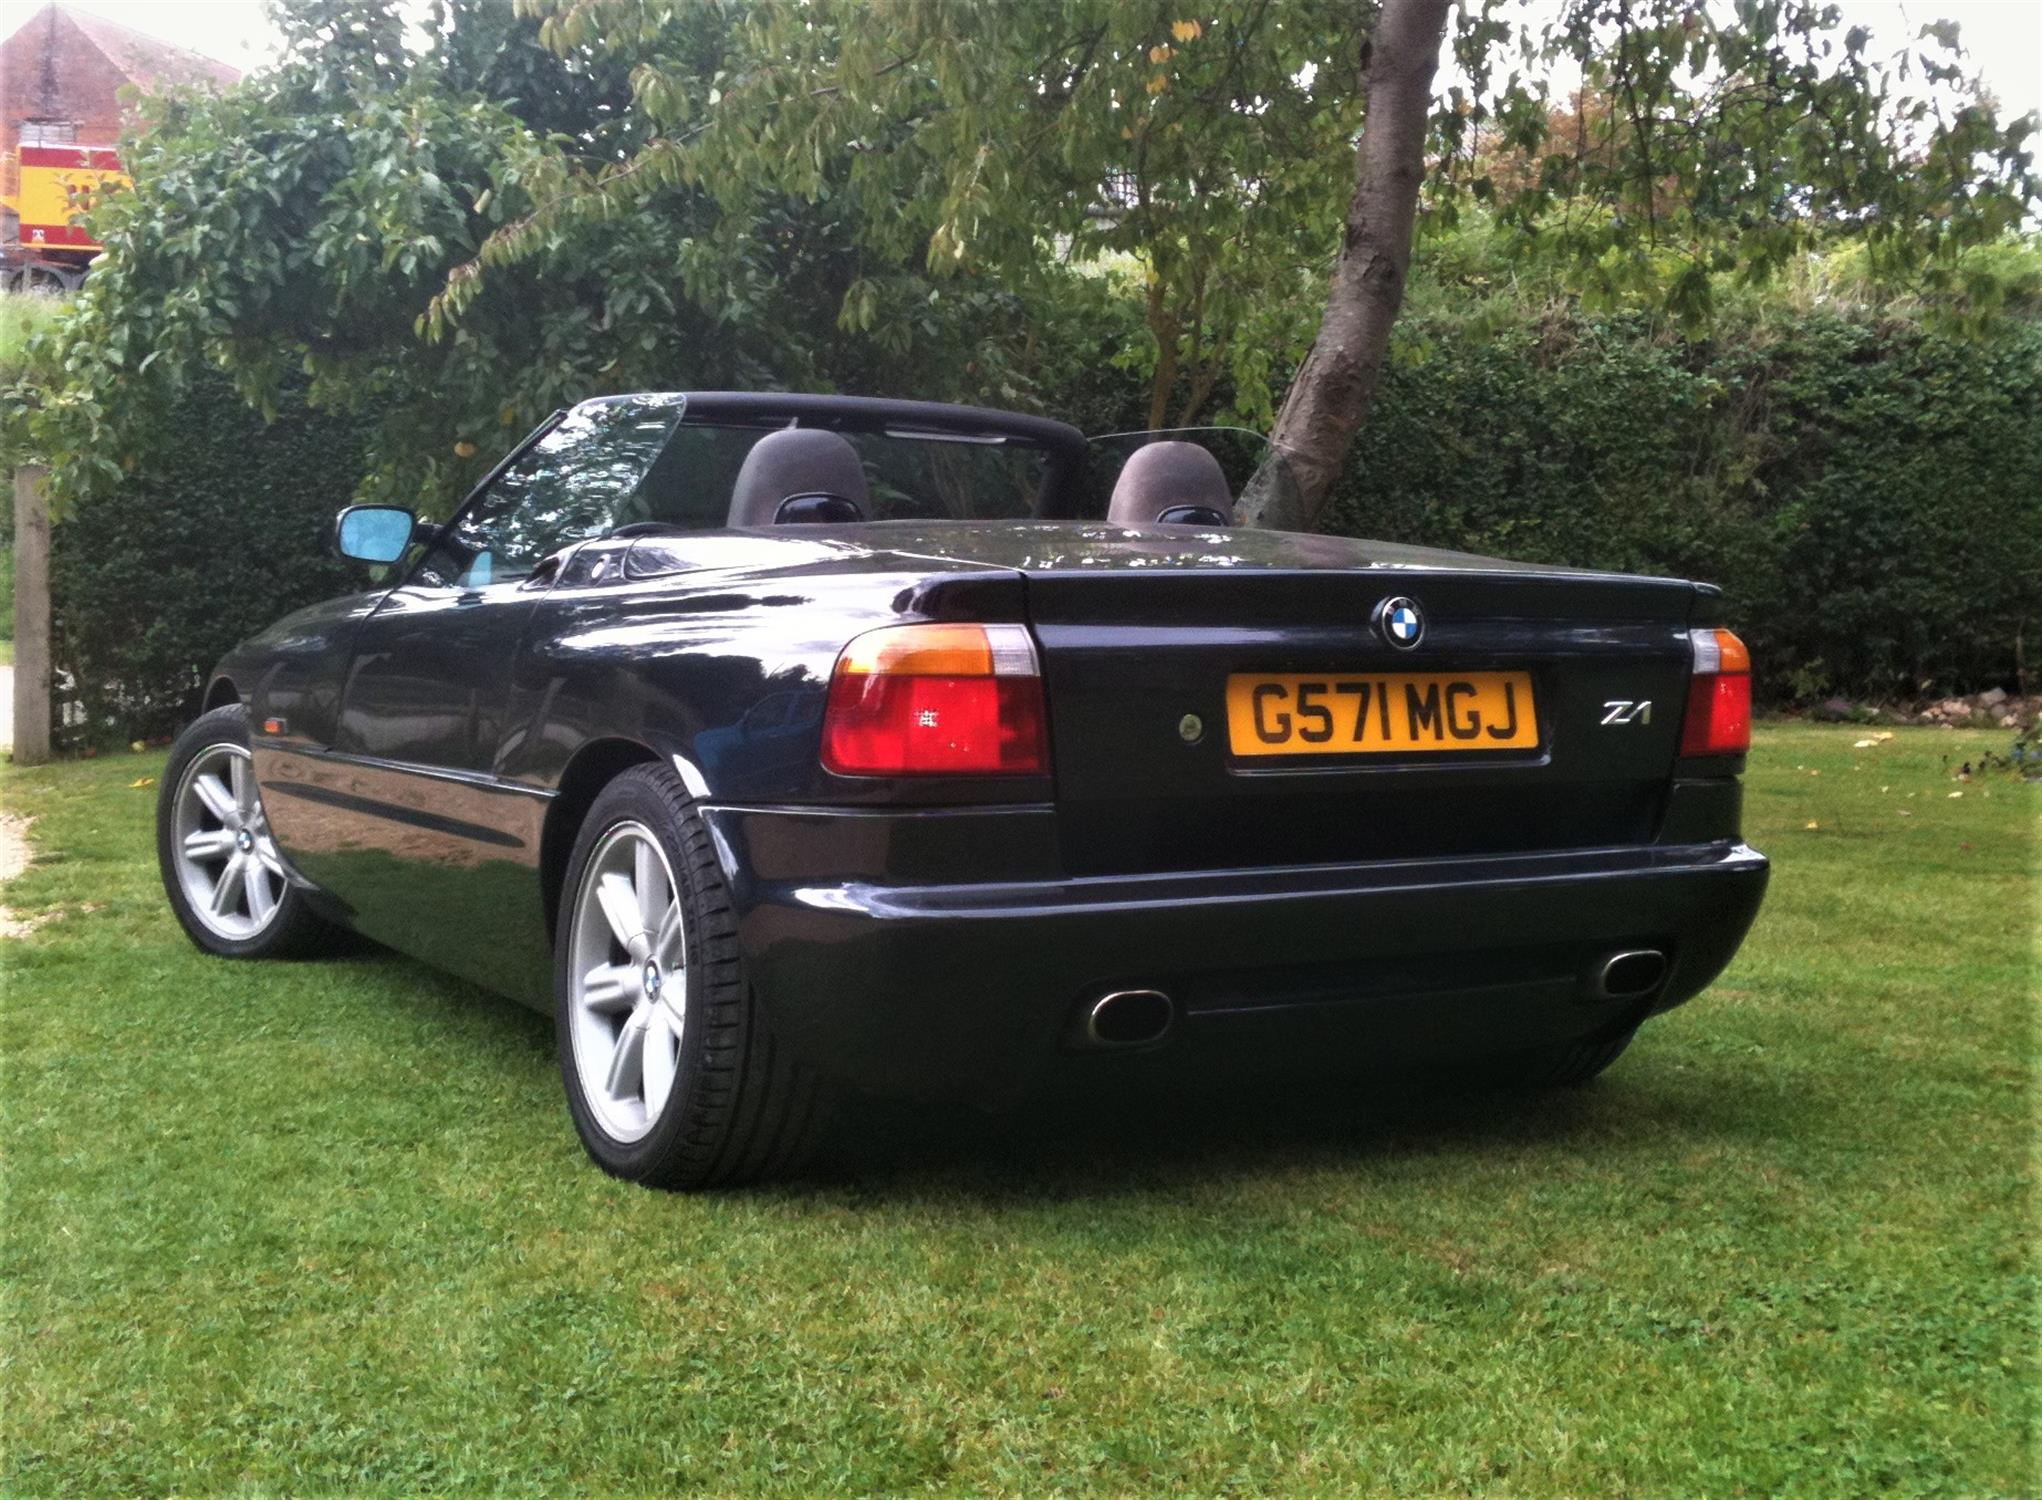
2002 36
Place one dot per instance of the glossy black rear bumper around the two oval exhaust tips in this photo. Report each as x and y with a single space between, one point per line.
973 989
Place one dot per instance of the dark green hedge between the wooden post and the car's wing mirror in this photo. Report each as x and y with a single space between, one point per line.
222 532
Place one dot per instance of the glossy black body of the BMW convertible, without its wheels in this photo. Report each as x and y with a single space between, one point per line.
428 754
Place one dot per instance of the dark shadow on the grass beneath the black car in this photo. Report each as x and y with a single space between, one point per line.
1100 1140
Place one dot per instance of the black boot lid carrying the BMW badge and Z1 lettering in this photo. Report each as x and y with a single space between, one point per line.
1138 650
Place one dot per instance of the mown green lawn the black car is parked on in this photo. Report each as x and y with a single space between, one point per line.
326 1228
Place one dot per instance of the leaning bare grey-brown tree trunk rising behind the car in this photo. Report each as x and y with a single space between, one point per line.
1330 397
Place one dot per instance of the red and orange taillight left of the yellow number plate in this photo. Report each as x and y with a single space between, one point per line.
938 701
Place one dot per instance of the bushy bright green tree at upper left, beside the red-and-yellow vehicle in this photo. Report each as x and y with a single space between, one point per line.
293 230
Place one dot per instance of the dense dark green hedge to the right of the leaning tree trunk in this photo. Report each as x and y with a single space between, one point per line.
1869 495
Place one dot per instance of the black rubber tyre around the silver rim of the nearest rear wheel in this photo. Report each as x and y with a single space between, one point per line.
740 1107
